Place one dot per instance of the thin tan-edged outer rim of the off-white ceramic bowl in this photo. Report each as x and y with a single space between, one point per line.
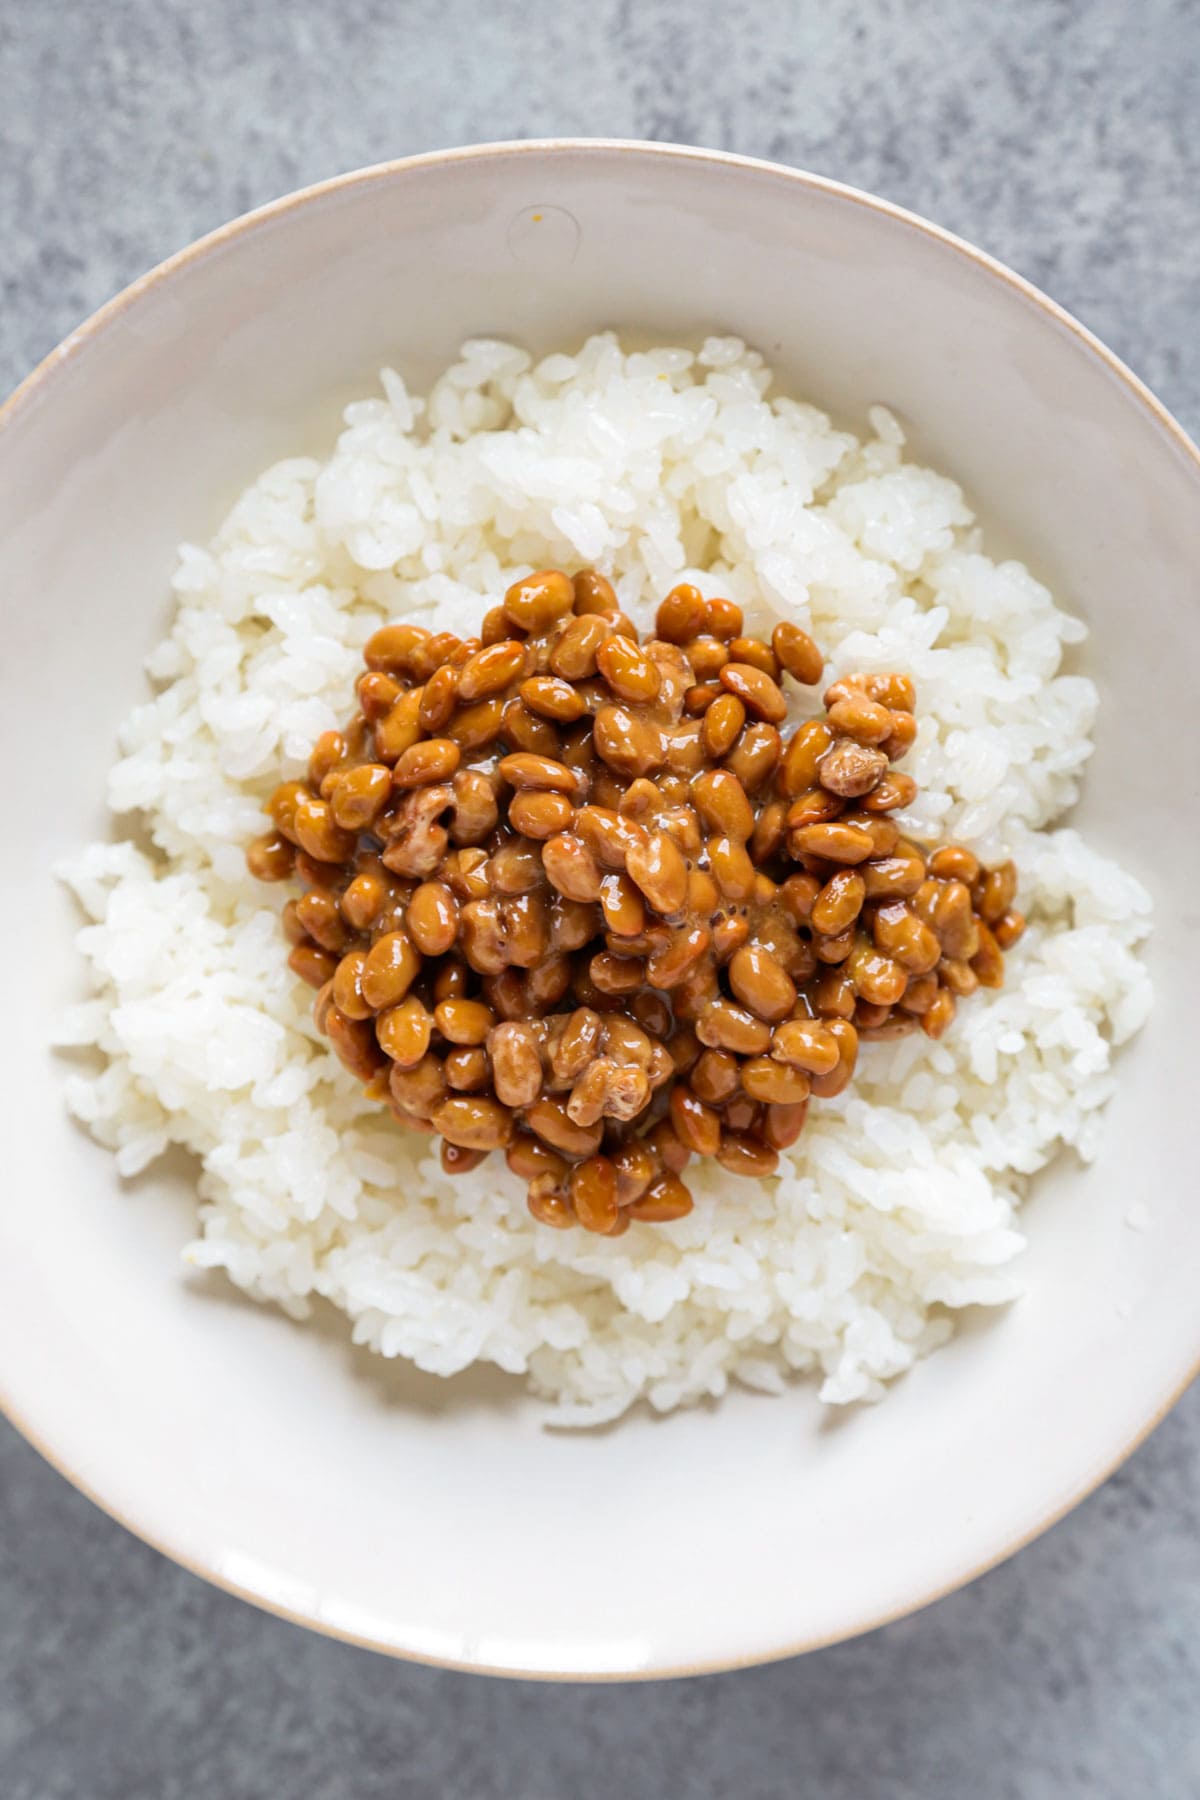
31 390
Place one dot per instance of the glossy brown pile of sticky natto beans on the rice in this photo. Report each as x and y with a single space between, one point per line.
584 901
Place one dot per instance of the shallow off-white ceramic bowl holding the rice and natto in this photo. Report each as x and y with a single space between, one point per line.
442 1522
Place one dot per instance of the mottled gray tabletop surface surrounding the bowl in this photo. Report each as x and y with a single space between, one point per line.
1066 139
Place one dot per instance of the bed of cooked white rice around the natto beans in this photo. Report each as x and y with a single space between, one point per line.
900 1201
